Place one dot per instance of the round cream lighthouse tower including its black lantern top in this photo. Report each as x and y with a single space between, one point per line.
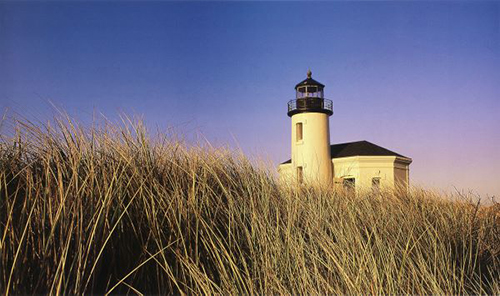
311 160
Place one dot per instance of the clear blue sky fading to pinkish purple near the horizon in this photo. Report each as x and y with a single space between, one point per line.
419 78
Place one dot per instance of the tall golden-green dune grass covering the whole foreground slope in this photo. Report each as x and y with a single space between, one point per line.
109 209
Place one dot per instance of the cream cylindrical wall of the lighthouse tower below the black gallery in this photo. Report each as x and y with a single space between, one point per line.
313 151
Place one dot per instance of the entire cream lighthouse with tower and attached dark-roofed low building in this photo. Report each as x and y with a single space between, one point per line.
353 166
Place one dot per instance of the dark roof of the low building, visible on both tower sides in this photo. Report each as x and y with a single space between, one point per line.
360 148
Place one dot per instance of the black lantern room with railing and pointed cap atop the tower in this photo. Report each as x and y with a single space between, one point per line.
309 98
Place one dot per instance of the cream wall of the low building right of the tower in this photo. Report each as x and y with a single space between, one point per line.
391 170
